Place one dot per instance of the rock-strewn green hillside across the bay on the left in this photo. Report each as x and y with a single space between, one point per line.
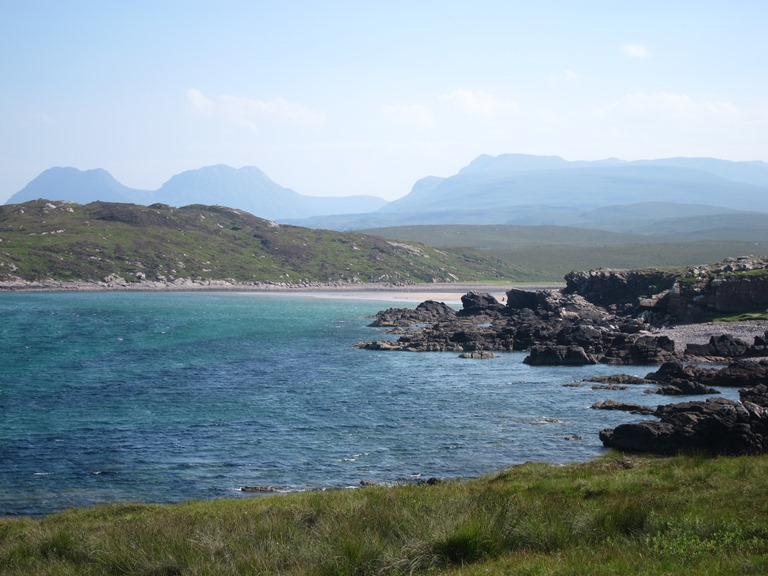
71 242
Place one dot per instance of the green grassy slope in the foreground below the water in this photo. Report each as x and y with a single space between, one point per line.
615 515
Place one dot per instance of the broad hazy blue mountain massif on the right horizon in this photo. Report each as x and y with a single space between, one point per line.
517 189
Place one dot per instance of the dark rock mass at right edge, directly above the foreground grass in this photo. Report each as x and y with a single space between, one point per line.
715 426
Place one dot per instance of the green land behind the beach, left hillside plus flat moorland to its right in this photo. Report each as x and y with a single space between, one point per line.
68 242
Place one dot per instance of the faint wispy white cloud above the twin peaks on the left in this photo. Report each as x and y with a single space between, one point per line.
250 113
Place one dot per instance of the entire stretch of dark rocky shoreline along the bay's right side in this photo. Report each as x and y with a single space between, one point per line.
564 327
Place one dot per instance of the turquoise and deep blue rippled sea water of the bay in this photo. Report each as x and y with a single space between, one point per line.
171 396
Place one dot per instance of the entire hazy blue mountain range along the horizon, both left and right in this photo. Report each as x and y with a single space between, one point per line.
647 196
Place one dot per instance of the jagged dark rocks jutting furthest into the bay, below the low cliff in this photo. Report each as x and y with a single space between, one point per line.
559 329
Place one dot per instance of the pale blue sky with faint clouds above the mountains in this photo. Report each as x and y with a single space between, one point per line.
336 97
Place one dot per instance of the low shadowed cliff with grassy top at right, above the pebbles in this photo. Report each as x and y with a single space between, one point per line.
734 286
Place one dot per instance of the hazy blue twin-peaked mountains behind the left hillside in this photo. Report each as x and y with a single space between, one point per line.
247 189
